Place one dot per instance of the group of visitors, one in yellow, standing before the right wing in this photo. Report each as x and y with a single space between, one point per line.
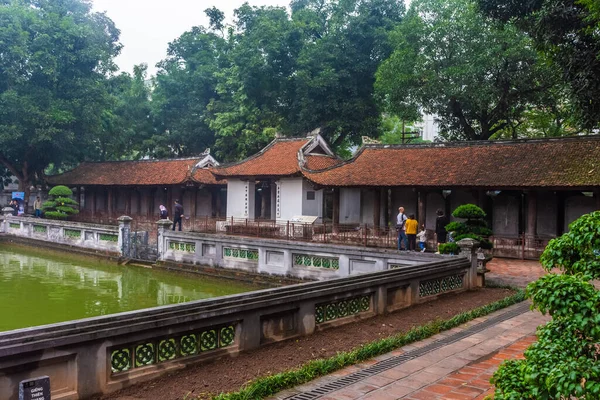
407 227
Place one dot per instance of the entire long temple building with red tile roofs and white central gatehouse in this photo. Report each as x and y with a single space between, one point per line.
531 190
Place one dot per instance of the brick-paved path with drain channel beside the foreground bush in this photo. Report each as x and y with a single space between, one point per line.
459 370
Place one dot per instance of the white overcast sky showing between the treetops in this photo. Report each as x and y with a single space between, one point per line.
147 26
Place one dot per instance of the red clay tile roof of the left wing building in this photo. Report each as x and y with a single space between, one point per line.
134 173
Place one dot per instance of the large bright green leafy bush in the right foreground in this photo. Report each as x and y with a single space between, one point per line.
564 363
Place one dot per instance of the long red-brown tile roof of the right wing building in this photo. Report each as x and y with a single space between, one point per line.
552 163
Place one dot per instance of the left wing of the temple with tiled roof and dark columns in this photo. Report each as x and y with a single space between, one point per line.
107 190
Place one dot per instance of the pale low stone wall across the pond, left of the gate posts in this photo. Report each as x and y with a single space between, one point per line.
81 235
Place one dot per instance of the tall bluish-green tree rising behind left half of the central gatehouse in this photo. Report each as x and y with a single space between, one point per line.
254 92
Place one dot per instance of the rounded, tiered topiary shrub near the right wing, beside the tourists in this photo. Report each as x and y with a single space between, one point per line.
474 227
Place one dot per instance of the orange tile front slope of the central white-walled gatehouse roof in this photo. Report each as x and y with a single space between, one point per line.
279 158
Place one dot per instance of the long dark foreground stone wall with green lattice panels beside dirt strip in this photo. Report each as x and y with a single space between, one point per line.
104 354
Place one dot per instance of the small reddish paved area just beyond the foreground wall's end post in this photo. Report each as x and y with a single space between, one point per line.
513 272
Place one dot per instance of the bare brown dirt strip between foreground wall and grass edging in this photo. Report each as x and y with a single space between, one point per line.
229 374
